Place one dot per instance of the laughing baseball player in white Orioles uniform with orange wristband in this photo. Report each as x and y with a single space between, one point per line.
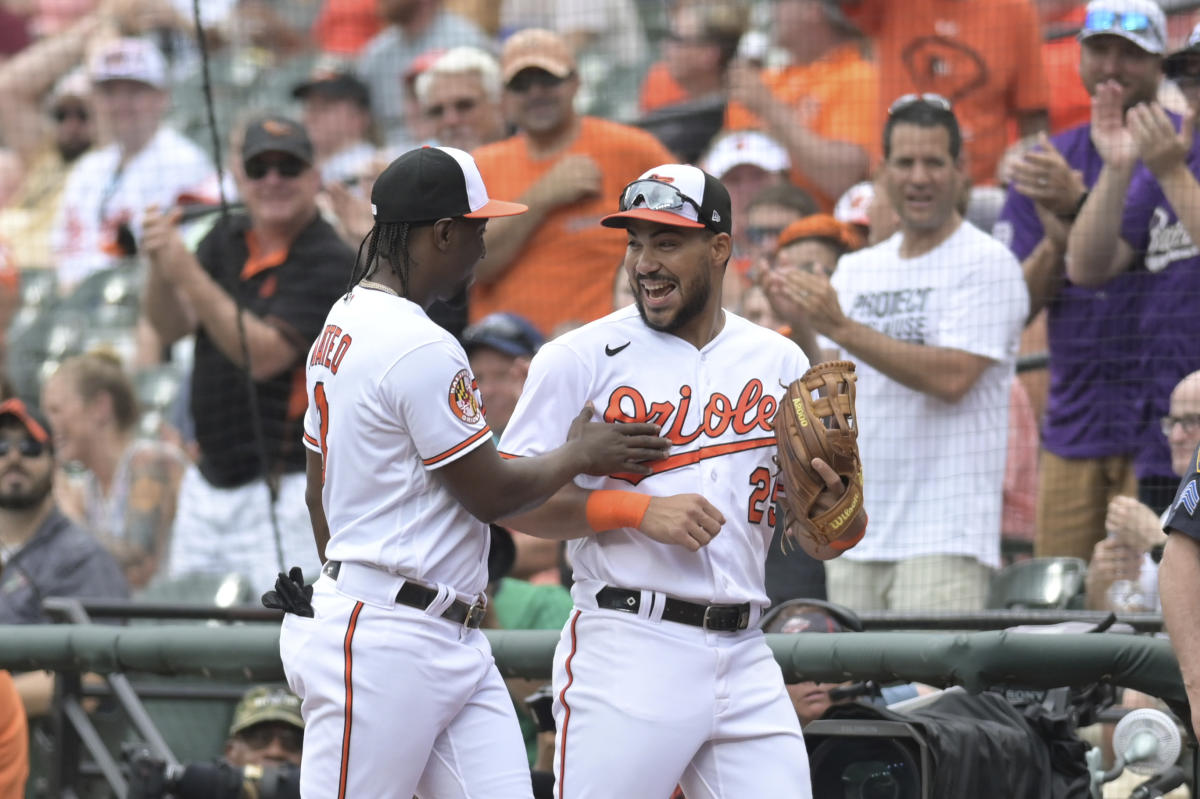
662 676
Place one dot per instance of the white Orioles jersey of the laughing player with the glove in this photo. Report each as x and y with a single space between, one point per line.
716 404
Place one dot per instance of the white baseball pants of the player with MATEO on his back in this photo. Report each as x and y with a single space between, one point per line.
399 702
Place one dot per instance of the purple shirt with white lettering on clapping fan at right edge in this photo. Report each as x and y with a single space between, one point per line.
1169 333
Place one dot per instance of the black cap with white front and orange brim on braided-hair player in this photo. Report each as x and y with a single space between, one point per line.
430 184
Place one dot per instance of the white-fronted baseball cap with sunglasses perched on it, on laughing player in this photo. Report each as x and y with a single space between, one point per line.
679 195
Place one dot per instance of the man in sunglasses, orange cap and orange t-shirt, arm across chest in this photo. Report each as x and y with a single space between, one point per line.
555 263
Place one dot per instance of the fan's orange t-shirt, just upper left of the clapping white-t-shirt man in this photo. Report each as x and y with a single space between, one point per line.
837 98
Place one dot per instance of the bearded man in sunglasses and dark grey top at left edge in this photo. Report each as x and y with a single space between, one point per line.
43 554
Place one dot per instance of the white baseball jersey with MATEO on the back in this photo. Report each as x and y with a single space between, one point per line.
392 398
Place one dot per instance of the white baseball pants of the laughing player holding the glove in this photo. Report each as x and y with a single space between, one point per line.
643 706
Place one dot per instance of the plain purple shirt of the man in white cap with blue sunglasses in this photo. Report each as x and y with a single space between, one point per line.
1093 405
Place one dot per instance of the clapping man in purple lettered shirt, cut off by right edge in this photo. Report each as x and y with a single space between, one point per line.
1141 224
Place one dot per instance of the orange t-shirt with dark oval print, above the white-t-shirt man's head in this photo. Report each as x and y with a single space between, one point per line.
986 58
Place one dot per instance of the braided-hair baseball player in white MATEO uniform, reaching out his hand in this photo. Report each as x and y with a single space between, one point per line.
400 692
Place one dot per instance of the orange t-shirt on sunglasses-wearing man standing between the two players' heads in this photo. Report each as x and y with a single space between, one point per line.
567 268
